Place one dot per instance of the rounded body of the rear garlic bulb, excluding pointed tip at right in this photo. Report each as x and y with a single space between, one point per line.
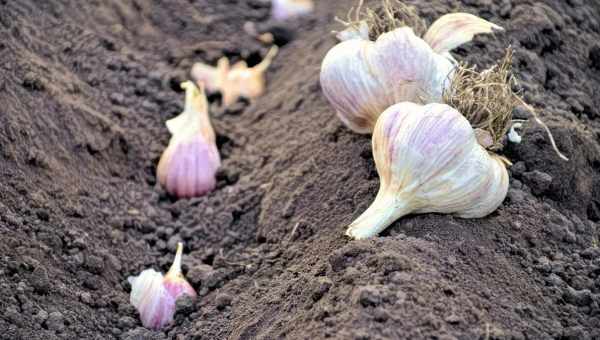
361 78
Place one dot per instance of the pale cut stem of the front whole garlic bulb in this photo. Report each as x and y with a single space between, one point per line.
384 211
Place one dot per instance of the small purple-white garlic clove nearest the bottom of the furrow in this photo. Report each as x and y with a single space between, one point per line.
154 296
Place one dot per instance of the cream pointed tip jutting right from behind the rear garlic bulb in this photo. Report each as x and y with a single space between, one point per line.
452 30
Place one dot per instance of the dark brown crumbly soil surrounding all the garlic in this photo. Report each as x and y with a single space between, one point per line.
85 88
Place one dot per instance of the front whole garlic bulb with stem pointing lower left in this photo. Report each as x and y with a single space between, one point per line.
428 160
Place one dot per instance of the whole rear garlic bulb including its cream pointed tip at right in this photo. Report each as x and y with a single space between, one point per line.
361 78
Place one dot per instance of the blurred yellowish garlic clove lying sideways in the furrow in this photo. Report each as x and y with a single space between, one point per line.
234 81
